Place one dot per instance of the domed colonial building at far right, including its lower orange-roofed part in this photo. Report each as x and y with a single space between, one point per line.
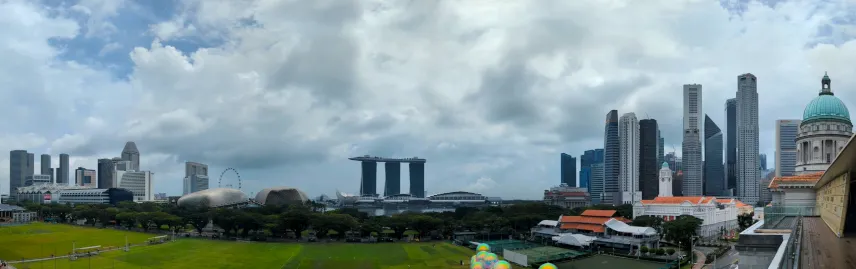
823 132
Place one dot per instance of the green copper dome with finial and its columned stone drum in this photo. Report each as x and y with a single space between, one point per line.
823 132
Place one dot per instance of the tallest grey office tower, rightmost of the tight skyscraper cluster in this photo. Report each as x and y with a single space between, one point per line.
748 174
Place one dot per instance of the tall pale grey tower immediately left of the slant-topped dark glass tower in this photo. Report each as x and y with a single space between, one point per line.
691 148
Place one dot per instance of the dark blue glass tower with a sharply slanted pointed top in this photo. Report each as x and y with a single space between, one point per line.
714 172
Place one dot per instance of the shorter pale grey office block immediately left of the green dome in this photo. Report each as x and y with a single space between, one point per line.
786 146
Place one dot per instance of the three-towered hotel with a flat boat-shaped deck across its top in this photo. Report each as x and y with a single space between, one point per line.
392 167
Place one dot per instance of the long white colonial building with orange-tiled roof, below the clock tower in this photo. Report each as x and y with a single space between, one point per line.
717 215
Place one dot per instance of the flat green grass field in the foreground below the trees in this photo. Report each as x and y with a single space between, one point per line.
28 240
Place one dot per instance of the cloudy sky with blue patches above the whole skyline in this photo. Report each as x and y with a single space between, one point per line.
489 91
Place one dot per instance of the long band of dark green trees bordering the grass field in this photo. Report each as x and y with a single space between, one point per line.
292 220
